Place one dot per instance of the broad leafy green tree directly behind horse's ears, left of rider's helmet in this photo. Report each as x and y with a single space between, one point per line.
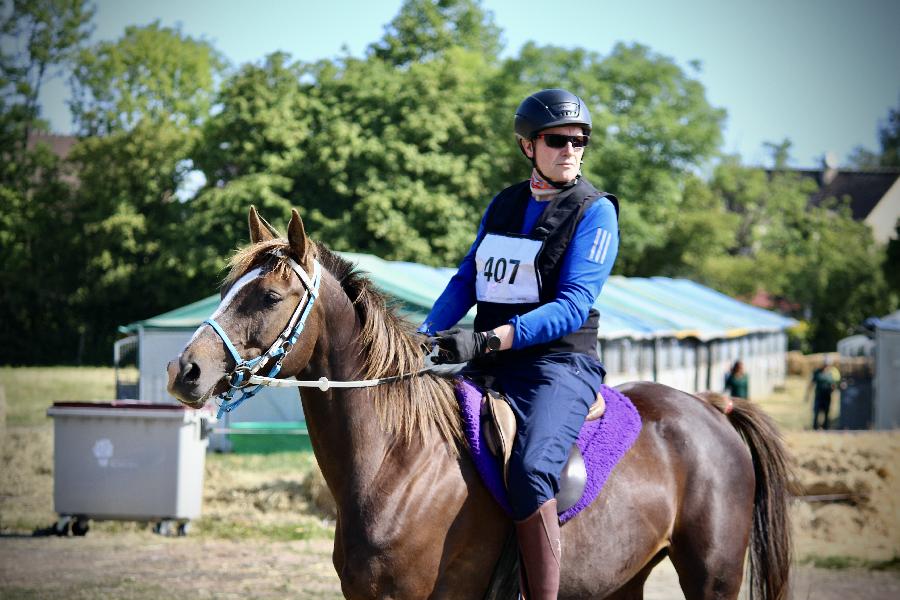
395 168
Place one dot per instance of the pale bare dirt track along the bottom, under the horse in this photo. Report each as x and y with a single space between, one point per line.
143 566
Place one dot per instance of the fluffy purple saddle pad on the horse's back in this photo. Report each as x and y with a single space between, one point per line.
603 442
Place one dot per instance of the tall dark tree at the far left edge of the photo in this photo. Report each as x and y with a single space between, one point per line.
36 226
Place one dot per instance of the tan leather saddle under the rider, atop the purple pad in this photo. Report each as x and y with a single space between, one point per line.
498 425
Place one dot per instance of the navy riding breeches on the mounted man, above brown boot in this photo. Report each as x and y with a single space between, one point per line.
550 396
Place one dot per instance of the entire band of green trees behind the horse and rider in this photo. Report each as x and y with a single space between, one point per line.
395 153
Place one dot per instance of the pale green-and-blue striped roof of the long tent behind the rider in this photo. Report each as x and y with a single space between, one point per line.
630 307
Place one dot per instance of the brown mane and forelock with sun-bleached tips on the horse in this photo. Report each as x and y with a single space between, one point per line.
388 346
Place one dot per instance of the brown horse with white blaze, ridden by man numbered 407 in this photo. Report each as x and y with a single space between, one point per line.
413 518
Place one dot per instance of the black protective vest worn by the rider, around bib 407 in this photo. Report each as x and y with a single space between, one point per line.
555 228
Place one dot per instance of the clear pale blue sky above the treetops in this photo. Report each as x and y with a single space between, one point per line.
820 72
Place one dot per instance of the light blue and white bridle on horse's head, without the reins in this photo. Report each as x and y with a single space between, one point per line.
239 378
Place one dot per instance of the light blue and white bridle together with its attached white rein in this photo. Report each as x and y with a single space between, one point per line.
245 372
